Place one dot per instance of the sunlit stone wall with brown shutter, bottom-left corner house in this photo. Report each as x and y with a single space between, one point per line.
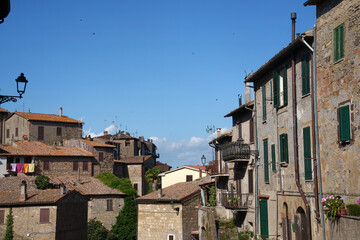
27 221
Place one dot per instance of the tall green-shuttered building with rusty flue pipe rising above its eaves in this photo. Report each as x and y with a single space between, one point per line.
285 135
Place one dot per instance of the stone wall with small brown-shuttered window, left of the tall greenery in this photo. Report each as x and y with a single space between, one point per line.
98 209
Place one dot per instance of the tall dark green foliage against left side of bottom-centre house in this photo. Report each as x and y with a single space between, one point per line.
125 227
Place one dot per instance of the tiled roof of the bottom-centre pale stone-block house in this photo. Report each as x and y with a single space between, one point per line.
177 192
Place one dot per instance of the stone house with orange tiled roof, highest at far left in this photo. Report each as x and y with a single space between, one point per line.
47 128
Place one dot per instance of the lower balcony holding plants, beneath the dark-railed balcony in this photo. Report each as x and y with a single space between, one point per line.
235 201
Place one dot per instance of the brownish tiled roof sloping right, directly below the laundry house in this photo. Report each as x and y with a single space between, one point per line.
88 185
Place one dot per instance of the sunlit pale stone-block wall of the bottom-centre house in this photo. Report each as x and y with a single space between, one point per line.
157 221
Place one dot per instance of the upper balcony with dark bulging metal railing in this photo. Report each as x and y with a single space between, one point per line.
235 151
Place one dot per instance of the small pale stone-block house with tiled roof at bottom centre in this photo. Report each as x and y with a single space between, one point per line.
169 213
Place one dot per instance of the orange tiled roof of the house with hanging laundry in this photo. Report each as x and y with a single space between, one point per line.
35 148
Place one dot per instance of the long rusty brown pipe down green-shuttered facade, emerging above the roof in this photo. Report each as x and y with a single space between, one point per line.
295 139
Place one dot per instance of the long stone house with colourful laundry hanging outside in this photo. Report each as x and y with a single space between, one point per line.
37 158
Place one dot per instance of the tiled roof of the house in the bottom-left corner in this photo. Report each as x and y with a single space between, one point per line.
48 196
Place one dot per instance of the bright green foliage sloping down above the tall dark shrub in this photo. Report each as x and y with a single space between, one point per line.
122 184
